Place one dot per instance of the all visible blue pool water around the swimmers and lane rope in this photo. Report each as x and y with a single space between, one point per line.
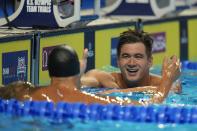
187 99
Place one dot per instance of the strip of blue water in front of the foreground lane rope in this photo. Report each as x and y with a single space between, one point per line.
9 123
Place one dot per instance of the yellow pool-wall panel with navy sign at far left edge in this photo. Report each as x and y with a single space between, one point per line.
16 59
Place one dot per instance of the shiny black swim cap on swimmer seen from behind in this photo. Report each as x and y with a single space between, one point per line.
63 61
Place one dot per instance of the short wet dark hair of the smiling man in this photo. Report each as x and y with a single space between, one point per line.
133 36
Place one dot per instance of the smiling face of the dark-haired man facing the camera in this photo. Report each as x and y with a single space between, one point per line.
134 62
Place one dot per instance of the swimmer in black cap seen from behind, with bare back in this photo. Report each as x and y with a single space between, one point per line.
64 71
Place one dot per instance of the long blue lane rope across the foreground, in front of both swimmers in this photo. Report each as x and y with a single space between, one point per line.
63 111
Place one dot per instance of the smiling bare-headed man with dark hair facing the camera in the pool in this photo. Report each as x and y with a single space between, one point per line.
134 58
